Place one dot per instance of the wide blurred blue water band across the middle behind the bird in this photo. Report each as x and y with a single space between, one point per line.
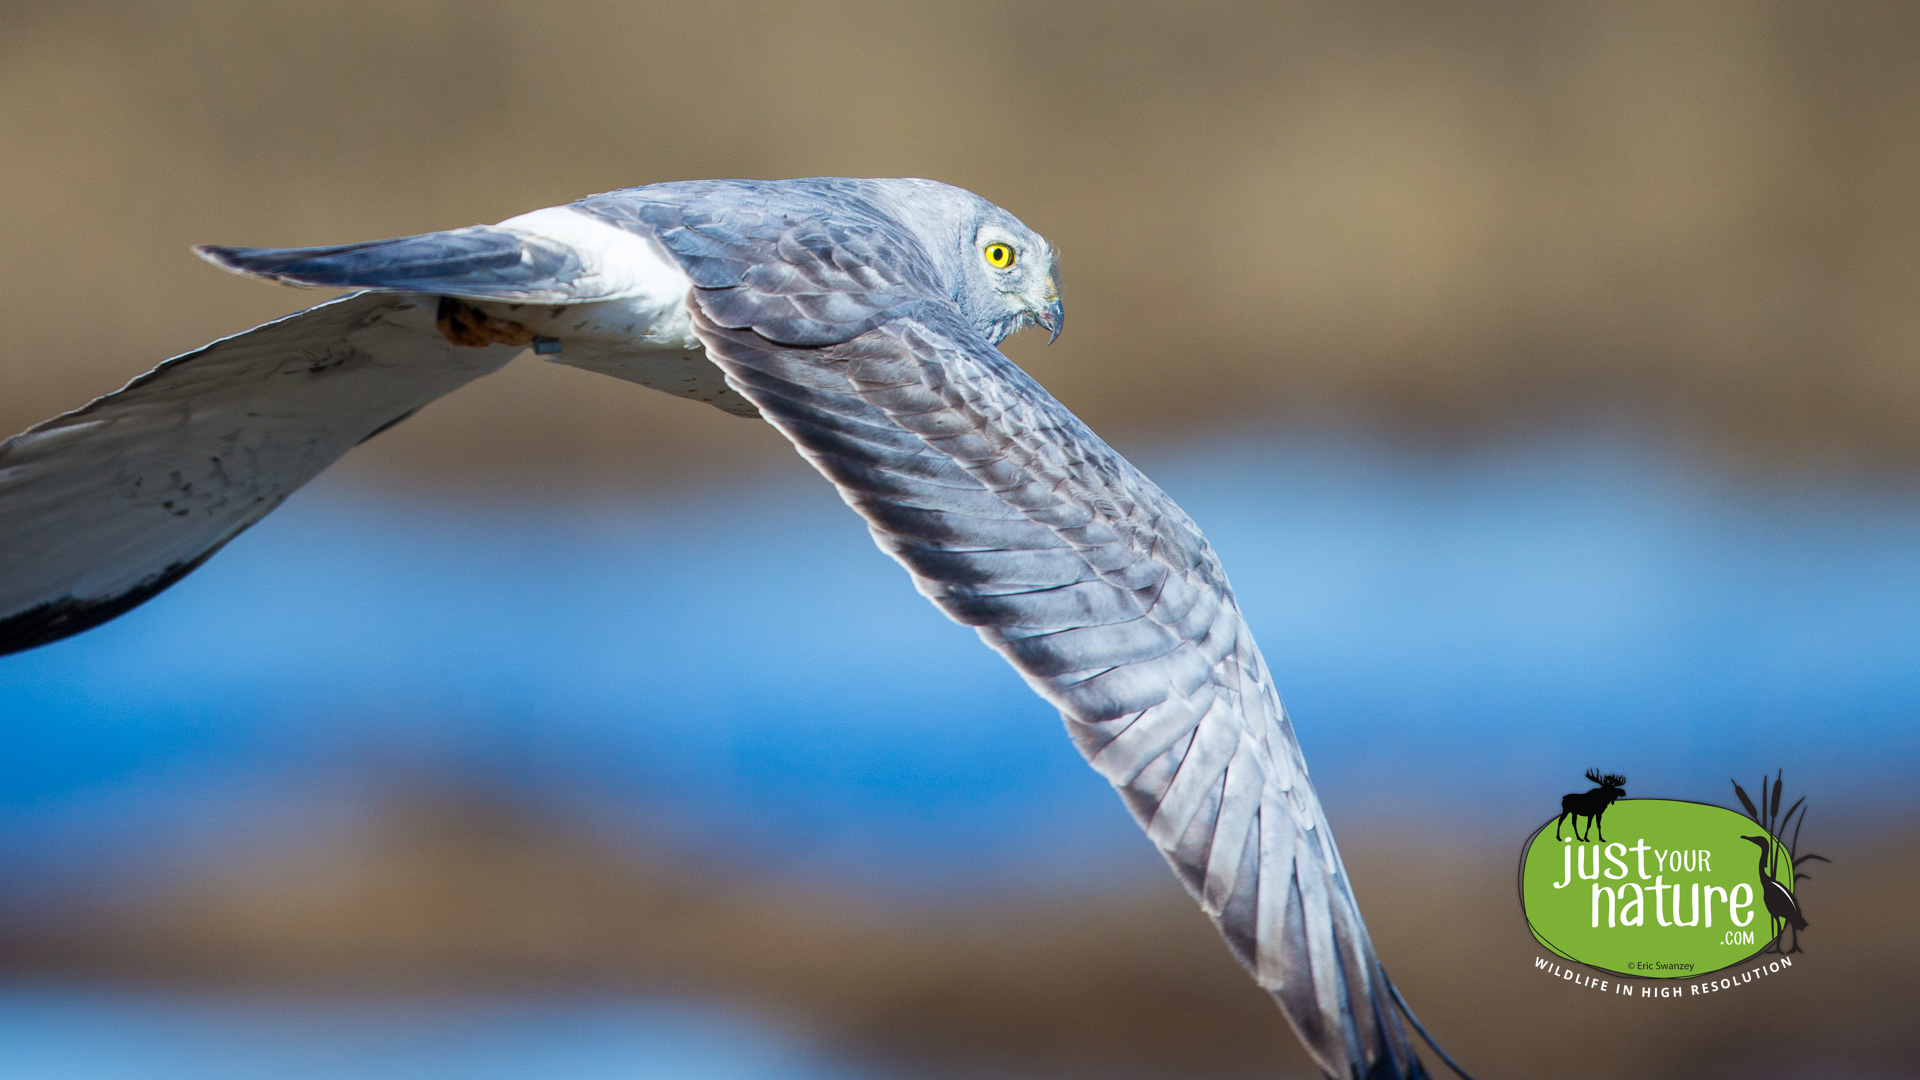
1458 637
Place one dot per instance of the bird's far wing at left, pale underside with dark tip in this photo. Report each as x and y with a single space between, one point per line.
110 504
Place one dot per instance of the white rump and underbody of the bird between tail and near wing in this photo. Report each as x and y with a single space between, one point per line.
631 318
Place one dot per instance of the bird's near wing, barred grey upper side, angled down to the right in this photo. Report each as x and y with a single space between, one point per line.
1022 524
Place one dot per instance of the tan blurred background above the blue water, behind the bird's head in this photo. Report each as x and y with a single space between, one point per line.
1426 218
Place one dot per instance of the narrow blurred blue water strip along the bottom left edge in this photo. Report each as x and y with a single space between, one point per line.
87 1033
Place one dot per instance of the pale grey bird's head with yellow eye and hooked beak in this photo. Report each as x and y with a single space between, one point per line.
1003 276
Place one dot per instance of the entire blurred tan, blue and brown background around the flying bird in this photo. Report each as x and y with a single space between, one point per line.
1548 378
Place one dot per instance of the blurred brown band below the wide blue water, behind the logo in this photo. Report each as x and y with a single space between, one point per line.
460 895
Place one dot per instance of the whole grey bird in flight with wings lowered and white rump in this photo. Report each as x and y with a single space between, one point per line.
859 318
